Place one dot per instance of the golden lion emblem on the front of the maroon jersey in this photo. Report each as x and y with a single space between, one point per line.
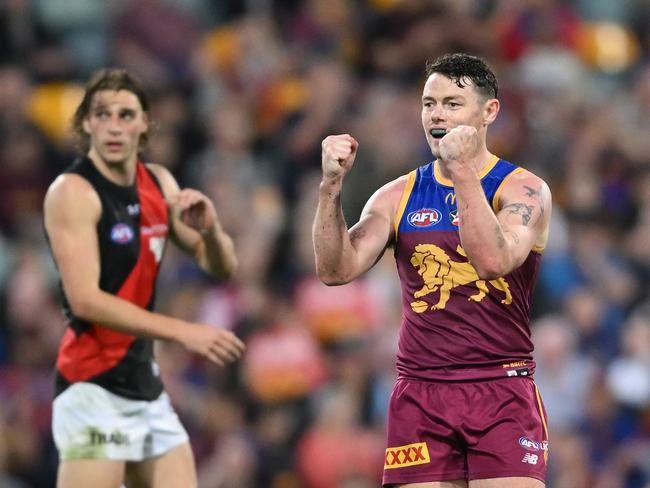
440 273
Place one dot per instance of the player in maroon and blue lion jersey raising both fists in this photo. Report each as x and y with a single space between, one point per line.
467 231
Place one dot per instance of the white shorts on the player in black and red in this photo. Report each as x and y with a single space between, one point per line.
89 422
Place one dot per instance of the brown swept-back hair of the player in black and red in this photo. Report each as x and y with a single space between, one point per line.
106 79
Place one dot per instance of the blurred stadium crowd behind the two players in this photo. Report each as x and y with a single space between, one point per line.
243 93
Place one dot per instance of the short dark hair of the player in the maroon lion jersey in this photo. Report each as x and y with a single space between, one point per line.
459 67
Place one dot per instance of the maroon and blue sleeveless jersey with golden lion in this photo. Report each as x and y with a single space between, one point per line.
456 326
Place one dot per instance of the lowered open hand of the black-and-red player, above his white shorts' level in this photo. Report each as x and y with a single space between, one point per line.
217 345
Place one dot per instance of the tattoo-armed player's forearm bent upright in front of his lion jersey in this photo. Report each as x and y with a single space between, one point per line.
483 238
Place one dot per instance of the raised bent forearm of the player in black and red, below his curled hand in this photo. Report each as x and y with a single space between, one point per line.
217 253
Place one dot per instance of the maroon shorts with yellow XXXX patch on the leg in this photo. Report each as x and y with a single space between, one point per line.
441 431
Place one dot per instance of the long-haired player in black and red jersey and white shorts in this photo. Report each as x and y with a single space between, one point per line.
107 220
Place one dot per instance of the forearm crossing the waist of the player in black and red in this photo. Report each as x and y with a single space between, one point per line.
121 315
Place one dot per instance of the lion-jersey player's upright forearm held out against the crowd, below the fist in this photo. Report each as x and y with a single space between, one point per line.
332 246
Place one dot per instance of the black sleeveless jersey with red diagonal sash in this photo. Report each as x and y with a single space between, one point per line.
132 233
